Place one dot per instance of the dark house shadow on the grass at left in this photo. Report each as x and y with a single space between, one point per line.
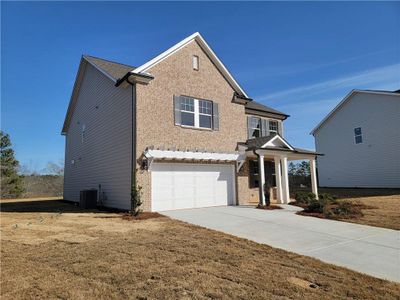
48 206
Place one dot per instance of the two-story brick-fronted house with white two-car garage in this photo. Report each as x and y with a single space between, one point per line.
184 123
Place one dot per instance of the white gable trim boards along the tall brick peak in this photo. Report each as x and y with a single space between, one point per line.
195 36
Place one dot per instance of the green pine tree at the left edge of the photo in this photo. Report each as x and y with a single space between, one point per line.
11 182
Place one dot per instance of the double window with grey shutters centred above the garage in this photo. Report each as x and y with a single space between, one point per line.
196 113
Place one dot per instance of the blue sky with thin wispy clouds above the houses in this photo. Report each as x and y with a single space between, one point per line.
298 57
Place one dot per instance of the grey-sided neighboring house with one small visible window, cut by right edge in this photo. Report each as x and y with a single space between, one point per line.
360 139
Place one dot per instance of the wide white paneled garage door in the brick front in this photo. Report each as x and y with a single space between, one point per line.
177 186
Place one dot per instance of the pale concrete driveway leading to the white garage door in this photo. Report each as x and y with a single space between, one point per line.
371 250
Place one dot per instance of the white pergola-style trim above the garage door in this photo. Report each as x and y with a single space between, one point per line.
190 155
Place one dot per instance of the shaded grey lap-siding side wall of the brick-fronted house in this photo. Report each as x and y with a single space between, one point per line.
104 157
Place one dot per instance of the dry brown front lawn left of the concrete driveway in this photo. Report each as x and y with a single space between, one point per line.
52 249
